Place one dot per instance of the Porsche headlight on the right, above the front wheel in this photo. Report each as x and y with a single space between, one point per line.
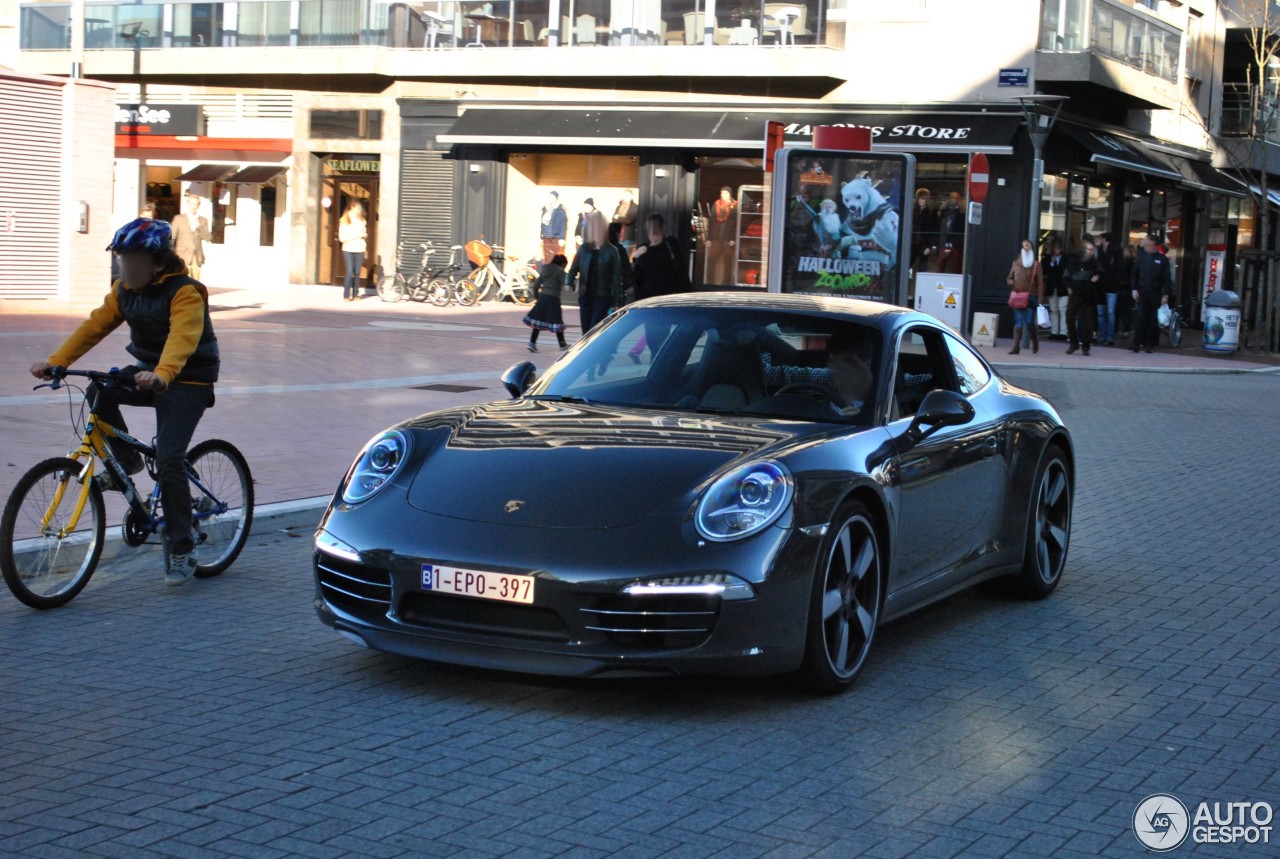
744 501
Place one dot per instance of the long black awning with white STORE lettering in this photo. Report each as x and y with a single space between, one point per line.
720 130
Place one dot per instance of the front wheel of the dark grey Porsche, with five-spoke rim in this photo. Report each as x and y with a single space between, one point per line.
845 604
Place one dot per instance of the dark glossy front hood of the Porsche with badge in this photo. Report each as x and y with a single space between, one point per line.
545 464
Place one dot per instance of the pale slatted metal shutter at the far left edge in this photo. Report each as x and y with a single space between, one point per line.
31 177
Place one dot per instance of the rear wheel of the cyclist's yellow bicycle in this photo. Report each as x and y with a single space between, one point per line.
222 500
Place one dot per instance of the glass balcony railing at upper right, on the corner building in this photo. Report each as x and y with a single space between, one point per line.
1126 34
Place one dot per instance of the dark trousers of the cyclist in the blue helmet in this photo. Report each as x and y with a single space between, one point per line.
179 413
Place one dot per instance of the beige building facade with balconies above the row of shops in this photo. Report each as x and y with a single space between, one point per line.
455 121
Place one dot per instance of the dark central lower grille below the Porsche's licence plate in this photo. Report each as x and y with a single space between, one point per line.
483 618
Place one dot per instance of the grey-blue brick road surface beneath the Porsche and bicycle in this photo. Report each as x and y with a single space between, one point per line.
222 720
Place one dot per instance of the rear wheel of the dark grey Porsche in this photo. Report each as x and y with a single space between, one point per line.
1049 528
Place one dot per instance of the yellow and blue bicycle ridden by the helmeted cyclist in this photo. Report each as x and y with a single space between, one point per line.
49 551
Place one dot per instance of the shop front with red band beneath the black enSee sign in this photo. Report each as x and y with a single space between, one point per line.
163 157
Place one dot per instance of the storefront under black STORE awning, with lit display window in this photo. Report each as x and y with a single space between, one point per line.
703 171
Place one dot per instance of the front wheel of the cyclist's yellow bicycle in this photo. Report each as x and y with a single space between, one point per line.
45 561
